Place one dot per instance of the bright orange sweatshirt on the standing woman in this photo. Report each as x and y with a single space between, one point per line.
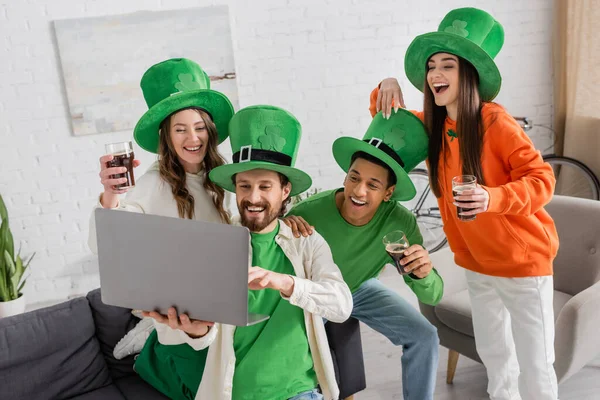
516 237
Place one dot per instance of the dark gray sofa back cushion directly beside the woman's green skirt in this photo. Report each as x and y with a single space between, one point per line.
112 323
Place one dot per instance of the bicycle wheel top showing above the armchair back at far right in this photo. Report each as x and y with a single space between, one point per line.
573 178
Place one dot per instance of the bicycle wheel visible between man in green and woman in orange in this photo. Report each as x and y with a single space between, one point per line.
425 208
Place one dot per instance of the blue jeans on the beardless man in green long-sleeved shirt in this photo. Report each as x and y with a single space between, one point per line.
388 313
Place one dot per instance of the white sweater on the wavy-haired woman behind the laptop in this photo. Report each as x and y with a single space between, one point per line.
152 195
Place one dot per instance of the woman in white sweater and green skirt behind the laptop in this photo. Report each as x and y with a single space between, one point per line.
184 124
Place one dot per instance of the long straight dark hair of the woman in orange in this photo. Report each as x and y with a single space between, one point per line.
468 125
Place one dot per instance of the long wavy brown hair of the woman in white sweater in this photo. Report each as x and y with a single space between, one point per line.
172 171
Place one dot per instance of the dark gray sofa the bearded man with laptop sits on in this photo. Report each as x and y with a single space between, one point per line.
65 352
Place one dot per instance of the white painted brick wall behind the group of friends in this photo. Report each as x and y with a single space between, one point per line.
318 58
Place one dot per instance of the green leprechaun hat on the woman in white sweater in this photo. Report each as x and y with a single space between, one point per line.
173 85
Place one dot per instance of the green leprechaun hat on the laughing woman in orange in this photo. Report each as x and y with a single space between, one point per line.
469 33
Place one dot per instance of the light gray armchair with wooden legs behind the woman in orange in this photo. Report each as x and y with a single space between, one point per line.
576 292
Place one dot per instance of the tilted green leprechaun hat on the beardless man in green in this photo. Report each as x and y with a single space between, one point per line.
401 142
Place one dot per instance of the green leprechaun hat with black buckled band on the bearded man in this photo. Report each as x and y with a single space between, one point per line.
263 137
